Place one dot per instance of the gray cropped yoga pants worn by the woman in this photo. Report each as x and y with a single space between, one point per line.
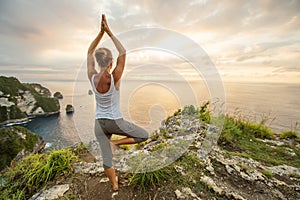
104 128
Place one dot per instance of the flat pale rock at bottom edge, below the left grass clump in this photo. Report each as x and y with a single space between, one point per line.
52 193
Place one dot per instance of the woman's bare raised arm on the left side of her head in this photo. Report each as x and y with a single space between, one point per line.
90 55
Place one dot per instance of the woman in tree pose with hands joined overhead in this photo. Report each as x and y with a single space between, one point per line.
106 87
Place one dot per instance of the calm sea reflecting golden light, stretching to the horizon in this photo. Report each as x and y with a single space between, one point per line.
148 103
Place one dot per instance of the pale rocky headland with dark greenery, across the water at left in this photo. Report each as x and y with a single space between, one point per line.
20 101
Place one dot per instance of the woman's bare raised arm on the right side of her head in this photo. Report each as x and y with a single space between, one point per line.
118 71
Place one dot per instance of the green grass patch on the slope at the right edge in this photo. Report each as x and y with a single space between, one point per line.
241 137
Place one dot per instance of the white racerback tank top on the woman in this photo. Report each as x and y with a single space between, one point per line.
107 104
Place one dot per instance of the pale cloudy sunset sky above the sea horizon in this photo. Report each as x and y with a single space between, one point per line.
256 40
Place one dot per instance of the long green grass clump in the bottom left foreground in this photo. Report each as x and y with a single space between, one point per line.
32 173
